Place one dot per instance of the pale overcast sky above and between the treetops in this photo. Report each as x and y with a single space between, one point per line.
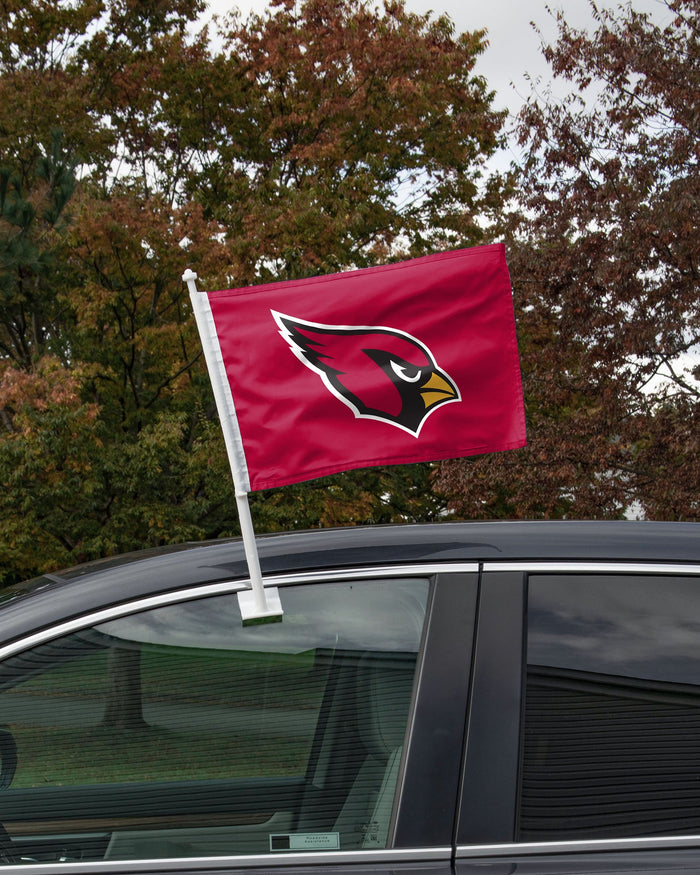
514 45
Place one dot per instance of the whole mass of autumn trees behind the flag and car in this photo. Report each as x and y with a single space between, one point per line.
318 136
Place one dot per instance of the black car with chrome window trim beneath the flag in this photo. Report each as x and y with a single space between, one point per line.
444 699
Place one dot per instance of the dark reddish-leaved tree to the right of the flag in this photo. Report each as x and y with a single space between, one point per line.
605 257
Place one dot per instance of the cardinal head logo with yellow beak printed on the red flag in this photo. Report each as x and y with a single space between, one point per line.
379 373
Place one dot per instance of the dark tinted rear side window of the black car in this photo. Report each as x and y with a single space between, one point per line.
611 744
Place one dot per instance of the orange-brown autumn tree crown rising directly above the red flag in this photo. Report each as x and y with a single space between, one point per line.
365 137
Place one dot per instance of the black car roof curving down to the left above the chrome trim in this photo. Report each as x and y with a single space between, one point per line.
88 587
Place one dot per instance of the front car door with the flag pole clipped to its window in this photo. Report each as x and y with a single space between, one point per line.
163 729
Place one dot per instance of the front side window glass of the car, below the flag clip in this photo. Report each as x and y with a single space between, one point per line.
179 732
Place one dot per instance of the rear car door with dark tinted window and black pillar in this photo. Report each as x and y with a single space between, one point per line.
584 743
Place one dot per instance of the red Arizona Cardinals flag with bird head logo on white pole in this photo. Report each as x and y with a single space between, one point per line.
408 362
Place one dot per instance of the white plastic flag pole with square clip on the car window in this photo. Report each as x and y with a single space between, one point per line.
258 605
